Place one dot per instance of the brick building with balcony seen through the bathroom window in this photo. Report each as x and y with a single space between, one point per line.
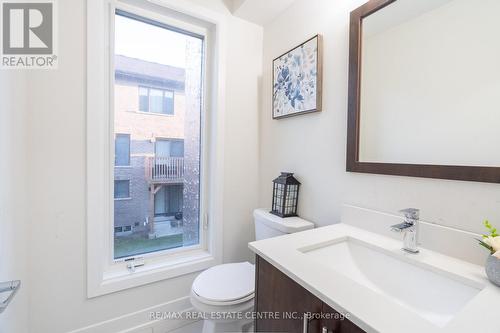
150 126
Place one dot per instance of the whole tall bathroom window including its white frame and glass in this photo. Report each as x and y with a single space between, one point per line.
143 60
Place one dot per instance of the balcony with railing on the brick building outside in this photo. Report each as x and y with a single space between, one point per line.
165 169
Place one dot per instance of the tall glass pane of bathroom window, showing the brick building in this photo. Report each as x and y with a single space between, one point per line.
155 60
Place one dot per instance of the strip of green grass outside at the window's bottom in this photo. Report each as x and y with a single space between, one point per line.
138 244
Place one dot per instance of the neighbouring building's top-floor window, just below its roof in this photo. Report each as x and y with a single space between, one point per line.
154 100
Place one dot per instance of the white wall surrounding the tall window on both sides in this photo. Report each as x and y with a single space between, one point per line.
56 169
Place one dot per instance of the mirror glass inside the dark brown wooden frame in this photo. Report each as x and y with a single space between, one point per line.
430 83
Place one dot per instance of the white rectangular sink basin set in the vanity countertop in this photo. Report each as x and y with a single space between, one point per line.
435 296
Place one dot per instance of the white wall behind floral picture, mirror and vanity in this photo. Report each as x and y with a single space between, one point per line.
313 146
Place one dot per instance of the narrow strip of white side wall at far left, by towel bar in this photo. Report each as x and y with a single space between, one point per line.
13 198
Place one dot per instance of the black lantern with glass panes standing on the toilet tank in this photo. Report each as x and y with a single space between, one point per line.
285 195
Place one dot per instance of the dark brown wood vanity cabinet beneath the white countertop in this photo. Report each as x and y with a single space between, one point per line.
281 303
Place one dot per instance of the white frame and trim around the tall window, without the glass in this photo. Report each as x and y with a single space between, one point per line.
104 274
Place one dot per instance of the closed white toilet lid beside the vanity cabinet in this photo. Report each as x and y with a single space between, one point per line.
226 283
